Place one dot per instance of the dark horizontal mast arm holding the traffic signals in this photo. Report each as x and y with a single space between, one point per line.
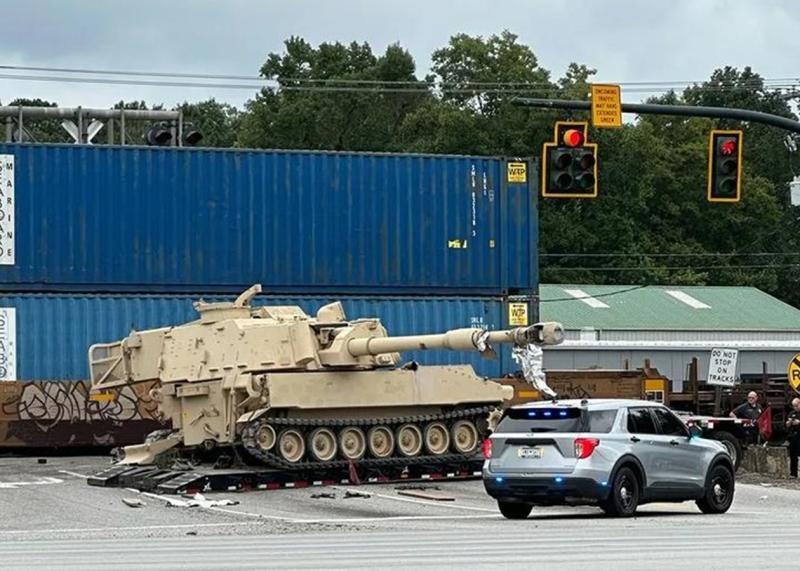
659 109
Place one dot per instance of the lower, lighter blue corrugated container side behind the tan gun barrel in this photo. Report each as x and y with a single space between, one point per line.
53 332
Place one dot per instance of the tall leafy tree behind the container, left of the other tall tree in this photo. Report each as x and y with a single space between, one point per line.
331 97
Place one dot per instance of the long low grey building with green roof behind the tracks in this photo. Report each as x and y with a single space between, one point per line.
619 326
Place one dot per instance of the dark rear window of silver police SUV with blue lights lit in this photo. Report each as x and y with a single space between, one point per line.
557 420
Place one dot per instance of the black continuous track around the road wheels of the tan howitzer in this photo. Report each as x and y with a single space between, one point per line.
274 460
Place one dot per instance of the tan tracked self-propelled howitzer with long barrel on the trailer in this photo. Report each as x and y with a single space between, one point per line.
302 392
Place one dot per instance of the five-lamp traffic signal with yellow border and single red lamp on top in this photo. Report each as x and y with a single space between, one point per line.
569 164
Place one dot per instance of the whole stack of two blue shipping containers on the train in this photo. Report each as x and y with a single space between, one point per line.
95 241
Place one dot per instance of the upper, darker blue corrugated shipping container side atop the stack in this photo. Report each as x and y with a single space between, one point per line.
145 220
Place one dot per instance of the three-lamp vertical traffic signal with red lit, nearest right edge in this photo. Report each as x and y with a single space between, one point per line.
724 166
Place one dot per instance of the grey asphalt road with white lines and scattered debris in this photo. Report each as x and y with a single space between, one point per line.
52 519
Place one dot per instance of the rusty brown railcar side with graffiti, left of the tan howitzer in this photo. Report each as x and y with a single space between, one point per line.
60 413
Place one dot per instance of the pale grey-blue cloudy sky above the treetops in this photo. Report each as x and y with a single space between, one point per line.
624 40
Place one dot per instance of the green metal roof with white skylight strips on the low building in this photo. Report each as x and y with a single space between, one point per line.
706 308
